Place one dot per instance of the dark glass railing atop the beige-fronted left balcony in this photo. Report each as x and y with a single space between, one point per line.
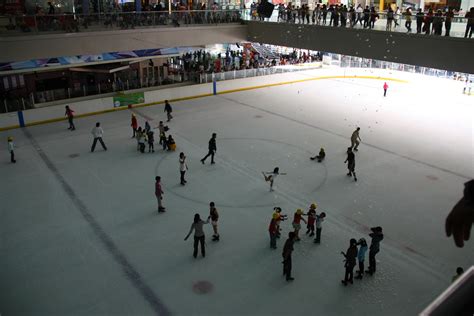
69 23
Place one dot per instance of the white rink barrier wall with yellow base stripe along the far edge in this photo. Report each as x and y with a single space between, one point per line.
98 106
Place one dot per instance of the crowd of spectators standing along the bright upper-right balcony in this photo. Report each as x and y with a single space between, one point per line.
430 22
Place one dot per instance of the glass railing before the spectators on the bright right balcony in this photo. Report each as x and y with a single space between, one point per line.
436 25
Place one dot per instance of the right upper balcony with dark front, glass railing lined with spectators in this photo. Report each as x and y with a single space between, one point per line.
422 42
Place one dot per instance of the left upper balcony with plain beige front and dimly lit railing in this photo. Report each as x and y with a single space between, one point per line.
26 37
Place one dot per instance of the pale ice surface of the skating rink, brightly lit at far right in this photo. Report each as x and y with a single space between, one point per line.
80 234
